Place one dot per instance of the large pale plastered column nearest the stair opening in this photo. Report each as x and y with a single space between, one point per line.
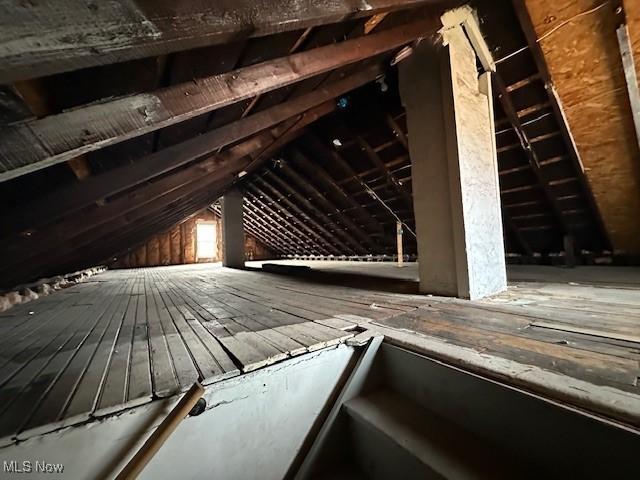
454 168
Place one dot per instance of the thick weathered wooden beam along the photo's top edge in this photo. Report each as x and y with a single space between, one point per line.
42 38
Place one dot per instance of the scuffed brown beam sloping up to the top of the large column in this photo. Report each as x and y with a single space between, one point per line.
40 143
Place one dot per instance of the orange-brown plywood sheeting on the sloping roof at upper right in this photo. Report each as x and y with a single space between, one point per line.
586 68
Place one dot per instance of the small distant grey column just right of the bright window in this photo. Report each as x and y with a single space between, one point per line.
232 229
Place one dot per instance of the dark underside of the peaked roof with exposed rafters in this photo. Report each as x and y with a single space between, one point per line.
325 153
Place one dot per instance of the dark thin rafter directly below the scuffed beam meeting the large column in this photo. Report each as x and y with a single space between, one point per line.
78 195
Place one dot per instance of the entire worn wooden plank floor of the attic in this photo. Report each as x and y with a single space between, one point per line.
128 336
